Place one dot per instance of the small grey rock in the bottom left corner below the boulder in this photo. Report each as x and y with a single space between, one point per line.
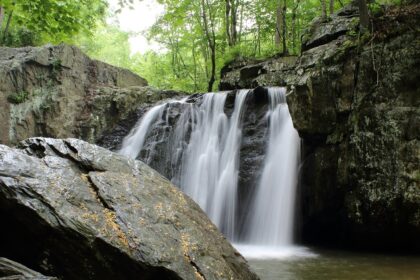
10 270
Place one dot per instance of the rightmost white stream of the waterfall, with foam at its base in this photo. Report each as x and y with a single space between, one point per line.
270 225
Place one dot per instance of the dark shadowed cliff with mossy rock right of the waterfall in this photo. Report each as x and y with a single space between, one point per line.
354 98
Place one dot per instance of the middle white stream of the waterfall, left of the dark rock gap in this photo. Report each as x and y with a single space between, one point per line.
210 168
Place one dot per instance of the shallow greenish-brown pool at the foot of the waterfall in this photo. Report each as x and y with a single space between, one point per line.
315 264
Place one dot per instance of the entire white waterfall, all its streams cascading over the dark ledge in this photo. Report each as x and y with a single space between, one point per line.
203 149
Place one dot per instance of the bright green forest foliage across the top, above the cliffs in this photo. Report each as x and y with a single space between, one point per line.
197 37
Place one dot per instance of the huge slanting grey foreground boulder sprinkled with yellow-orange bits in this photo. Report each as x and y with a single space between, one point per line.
77 211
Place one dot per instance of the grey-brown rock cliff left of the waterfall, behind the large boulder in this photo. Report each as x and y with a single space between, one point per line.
57 91
